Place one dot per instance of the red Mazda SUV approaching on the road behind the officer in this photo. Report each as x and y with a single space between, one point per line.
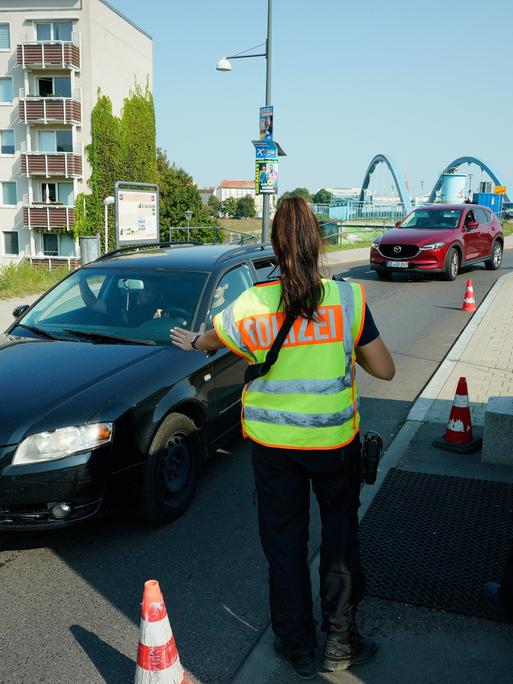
440 238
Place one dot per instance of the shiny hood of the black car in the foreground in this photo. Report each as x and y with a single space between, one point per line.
43 377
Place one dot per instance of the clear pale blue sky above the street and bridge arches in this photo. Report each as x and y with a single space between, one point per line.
422 82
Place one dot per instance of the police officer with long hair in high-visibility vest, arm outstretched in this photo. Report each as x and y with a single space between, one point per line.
303 420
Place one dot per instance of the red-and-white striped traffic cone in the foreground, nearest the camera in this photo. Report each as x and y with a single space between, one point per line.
157 656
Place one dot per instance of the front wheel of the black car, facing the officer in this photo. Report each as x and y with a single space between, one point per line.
172 469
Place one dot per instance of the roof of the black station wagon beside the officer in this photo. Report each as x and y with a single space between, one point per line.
185 256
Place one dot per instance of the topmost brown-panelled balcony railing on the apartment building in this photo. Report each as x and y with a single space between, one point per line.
49 54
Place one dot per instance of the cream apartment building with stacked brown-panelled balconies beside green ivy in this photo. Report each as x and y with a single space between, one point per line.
54 56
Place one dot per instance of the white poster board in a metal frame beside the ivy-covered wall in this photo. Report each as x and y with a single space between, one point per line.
137 216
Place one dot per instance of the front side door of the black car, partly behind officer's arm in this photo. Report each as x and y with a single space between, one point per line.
228 368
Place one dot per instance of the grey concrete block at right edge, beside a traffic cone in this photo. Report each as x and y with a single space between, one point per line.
498 431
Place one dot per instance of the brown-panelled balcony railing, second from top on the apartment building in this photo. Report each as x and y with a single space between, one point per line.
42 110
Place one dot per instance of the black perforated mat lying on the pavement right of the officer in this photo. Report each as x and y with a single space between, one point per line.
434 540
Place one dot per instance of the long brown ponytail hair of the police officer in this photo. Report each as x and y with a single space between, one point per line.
296 241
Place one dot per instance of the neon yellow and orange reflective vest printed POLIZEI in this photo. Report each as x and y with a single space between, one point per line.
309 398
